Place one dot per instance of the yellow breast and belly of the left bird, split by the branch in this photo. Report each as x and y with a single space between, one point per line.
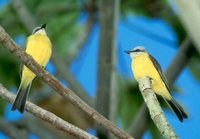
39 47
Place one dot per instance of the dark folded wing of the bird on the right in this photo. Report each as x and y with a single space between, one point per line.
158 67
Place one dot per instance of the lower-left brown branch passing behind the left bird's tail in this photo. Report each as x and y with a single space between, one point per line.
48 116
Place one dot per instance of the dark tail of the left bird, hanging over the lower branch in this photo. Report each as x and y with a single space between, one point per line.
20 99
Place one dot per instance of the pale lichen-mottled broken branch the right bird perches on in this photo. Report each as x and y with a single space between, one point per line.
155 110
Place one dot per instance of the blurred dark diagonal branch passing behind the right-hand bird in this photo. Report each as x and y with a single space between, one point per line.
180 61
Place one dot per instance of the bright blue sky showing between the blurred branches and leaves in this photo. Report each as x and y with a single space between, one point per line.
161 41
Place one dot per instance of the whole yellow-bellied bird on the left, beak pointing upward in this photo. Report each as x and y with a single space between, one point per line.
39 47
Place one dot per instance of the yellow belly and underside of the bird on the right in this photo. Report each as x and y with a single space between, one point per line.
142 67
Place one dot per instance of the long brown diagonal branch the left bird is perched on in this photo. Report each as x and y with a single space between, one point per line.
66 93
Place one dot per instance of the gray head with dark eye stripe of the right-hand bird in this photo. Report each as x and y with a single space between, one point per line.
136 51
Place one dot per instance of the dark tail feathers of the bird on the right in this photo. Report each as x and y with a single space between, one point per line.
178 110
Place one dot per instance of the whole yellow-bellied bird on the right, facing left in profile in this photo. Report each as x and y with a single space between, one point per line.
144 65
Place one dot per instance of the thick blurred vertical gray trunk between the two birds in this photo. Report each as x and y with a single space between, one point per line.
107 78
